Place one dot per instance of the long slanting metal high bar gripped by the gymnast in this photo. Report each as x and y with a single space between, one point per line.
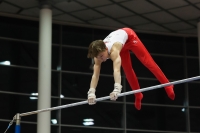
108 97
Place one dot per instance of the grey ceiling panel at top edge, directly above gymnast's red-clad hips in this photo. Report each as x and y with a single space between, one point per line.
140 6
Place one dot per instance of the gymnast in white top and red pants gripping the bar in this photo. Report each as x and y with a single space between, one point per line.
116 46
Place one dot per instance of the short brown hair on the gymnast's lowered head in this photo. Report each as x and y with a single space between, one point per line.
95 48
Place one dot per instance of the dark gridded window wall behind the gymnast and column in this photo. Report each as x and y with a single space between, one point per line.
176 56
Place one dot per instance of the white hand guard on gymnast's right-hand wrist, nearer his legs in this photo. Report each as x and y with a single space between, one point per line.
117 90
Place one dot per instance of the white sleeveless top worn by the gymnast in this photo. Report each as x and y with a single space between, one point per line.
115 36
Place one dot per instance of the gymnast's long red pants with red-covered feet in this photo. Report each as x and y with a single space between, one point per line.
136 46
